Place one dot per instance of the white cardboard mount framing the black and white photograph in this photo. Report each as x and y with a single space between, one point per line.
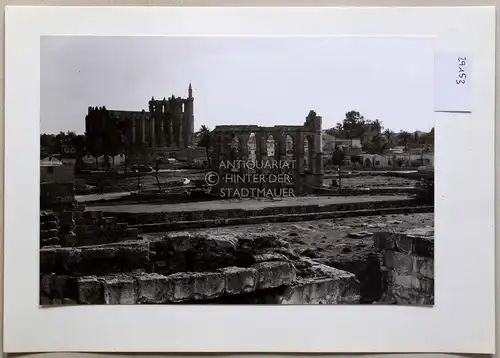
263 329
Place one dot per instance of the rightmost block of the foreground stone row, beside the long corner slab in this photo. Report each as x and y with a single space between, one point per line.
274 274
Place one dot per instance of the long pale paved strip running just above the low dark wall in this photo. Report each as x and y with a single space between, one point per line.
247 204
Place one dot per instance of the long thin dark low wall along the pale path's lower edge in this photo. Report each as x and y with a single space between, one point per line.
158 217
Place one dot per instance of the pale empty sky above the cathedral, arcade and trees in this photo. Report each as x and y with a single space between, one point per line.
240 80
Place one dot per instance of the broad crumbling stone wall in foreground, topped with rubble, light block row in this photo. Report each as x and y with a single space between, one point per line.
190 268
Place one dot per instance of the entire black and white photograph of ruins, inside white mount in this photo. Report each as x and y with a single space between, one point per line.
236 170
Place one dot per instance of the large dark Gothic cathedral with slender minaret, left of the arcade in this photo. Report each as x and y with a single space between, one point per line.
167 126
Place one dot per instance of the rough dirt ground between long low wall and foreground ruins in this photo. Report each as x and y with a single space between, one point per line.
323 239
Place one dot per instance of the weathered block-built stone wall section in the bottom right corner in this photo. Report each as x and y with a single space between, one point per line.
408 263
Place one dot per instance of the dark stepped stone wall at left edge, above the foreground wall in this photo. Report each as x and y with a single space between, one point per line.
80 228
